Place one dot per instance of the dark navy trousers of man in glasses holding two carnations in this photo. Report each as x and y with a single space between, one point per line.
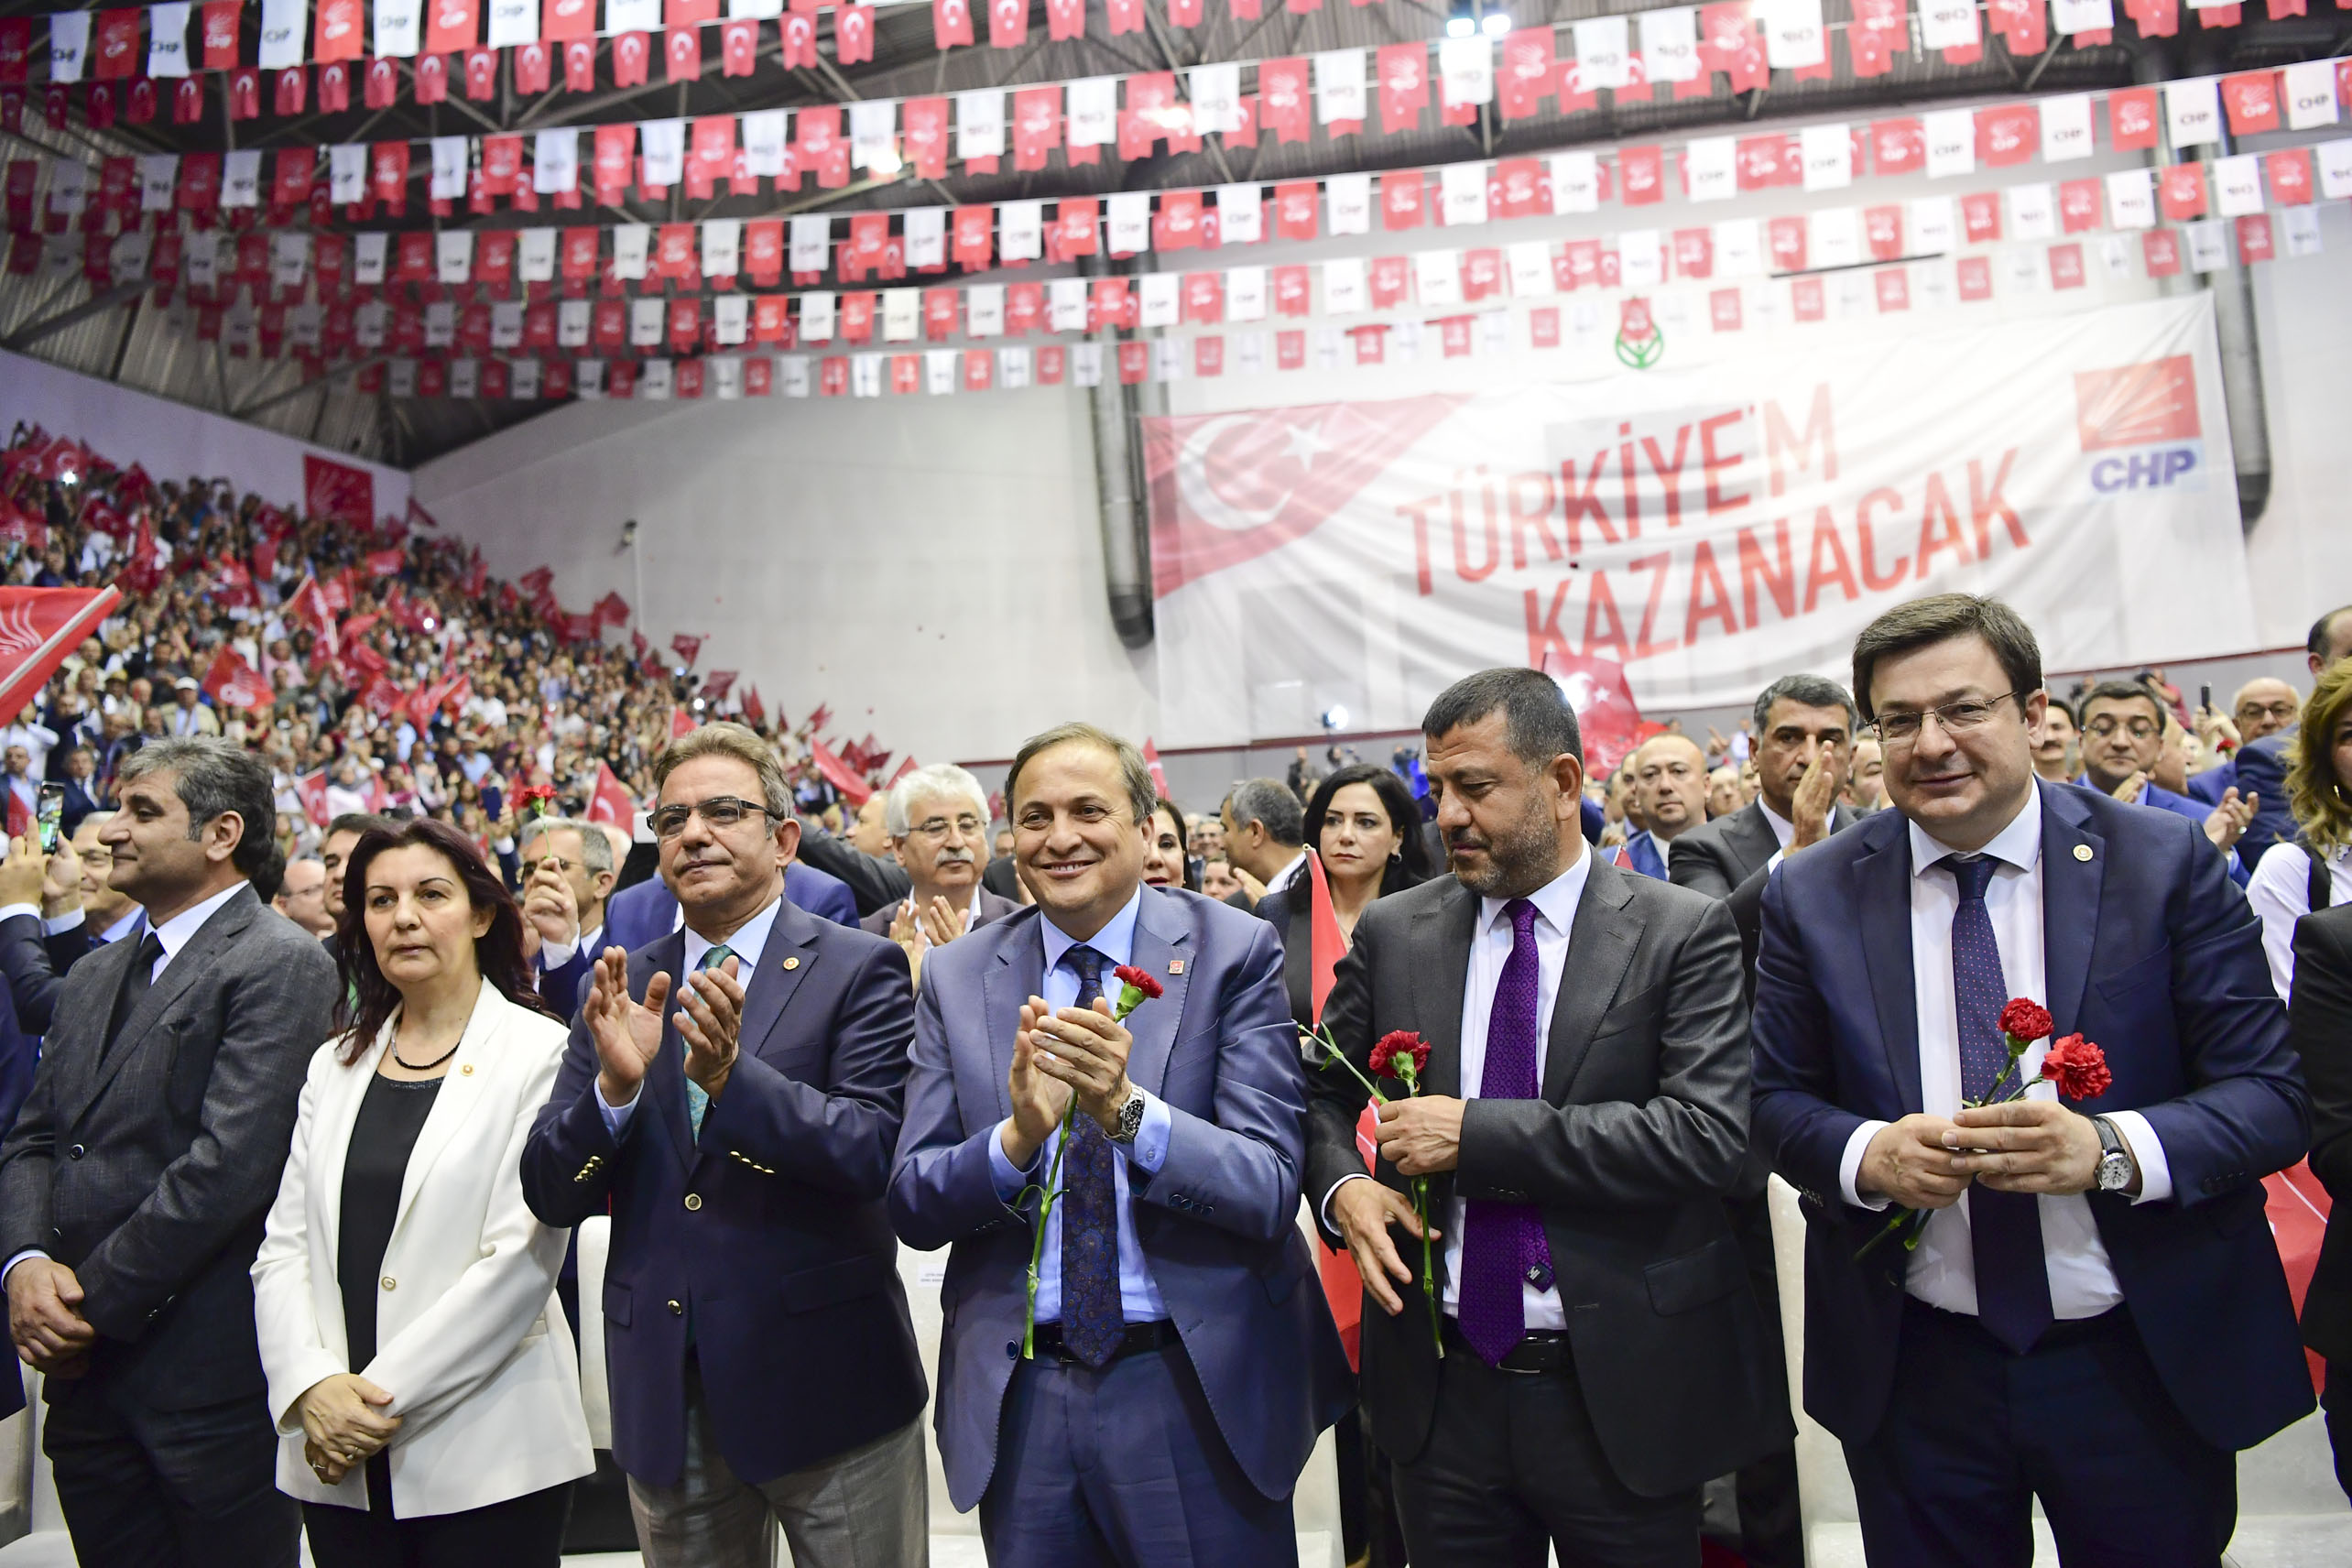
1975 1435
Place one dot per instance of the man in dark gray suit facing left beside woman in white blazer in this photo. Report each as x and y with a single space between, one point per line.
135 1181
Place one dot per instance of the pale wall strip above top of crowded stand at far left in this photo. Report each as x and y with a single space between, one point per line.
171 438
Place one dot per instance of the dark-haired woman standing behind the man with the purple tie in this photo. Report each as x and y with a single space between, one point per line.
1363 829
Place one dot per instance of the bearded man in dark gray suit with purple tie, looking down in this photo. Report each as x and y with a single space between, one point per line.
1584 1113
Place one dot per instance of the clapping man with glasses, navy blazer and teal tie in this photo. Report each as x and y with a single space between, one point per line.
740 1127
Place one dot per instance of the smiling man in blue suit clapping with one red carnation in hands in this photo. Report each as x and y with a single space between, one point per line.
1184 1355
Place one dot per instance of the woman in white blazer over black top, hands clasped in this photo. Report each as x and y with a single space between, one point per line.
420 1365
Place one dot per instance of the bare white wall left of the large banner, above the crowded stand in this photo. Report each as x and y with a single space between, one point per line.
930 568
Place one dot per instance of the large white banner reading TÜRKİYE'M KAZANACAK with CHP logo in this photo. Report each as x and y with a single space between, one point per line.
1709 528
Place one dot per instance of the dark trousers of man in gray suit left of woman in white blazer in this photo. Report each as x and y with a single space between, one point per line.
168 1489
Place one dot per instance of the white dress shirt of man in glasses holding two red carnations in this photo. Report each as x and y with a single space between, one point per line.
1944 1266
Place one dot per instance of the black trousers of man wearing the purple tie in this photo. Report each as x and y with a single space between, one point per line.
1514 1466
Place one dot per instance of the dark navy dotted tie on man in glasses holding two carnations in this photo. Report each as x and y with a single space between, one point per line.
2005 1228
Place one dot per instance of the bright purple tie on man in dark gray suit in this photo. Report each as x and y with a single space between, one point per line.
1504 1242
